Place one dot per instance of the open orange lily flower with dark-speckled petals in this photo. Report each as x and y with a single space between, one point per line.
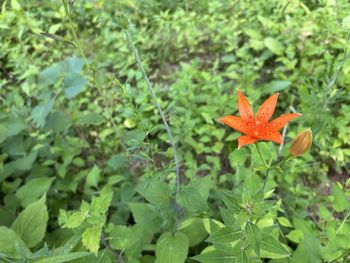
258 128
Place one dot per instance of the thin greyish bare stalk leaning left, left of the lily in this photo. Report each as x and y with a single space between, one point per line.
150 89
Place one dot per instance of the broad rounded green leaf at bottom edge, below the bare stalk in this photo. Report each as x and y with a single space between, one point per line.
172 248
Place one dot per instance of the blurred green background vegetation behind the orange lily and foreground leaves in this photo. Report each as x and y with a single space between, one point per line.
70 125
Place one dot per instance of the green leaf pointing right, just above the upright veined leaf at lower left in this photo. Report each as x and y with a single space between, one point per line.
33 189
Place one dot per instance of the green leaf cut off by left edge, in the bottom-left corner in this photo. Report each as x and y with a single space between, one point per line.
8 241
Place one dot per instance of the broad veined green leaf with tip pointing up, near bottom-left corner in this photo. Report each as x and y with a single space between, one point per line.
31 223
